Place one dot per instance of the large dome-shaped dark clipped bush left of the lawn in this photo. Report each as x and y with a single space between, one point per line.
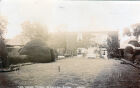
37 51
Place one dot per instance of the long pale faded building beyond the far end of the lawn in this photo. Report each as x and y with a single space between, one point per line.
70 42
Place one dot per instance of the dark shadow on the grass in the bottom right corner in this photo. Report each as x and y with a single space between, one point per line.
116 77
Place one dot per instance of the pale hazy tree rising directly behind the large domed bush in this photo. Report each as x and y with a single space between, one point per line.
33 31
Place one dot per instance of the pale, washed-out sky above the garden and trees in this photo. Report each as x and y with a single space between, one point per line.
70 15
